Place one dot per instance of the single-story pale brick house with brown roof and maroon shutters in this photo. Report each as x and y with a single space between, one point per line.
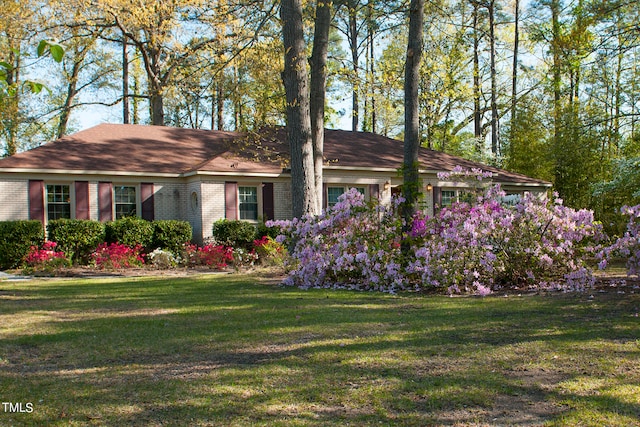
114 170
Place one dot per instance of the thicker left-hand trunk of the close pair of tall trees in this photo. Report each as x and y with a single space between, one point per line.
295 79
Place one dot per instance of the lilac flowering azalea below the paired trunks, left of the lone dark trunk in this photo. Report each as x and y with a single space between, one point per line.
350 245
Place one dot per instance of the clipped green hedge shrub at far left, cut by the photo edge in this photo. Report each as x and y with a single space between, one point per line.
16 239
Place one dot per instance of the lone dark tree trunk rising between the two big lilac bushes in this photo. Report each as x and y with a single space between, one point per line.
411 185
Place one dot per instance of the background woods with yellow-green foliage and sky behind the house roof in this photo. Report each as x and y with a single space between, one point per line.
548 88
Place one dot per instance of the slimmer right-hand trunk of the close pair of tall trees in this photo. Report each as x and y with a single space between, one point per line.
318 90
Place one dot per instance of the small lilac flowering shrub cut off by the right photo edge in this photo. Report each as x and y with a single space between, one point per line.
627 246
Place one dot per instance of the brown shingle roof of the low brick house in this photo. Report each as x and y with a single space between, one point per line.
158 149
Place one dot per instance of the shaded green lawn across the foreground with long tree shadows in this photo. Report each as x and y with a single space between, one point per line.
235 350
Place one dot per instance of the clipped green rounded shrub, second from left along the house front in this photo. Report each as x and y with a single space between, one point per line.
77 238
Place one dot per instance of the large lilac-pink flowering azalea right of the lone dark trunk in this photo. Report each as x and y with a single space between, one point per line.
487 246
